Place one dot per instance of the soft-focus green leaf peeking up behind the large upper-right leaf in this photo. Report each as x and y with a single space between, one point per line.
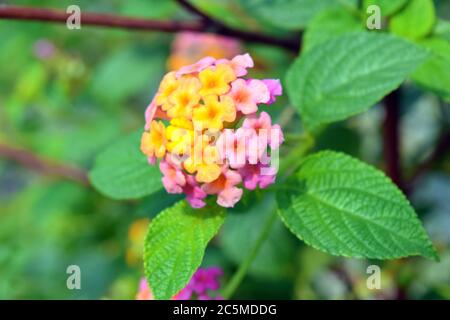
330 24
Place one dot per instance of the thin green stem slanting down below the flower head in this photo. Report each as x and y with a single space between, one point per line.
237 278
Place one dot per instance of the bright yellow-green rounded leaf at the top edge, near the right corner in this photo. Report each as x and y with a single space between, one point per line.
415 21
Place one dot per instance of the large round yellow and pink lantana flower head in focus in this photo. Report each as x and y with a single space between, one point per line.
204 128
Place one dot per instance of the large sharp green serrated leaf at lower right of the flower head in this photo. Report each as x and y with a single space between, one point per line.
345 207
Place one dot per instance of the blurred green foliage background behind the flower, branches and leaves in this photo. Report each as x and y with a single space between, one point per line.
67 94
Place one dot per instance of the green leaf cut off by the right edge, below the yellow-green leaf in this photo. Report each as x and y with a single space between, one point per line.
434 75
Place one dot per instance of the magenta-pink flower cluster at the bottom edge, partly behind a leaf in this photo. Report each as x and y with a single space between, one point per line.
203 285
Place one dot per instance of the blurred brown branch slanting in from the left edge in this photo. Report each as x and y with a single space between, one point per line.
43 166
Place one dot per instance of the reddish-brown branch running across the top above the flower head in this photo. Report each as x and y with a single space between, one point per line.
113 21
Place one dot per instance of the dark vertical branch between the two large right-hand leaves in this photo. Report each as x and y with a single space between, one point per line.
391 138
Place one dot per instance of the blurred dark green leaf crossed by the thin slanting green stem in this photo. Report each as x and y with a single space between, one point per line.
241 230
